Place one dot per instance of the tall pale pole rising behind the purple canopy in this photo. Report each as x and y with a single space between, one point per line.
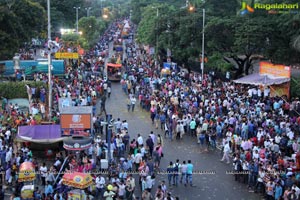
49 62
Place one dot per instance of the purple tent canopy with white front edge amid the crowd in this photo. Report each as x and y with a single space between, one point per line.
45 134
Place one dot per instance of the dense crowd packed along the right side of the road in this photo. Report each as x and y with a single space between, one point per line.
258 133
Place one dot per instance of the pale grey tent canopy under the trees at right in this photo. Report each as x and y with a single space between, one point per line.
265 80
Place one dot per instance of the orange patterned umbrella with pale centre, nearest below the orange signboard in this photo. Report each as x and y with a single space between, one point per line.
77 180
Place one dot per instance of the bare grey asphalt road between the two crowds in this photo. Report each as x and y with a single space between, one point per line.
214 186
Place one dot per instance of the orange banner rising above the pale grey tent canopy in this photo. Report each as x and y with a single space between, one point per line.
266 68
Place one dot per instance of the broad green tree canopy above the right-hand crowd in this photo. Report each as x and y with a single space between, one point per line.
232 40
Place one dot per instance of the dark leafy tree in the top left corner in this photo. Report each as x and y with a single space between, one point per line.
17 25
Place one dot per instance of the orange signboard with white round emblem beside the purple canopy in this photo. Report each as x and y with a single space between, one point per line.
75 121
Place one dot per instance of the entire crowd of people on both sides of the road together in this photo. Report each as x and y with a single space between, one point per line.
258 133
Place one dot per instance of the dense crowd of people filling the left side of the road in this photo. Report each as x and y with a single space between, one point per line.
84 84
